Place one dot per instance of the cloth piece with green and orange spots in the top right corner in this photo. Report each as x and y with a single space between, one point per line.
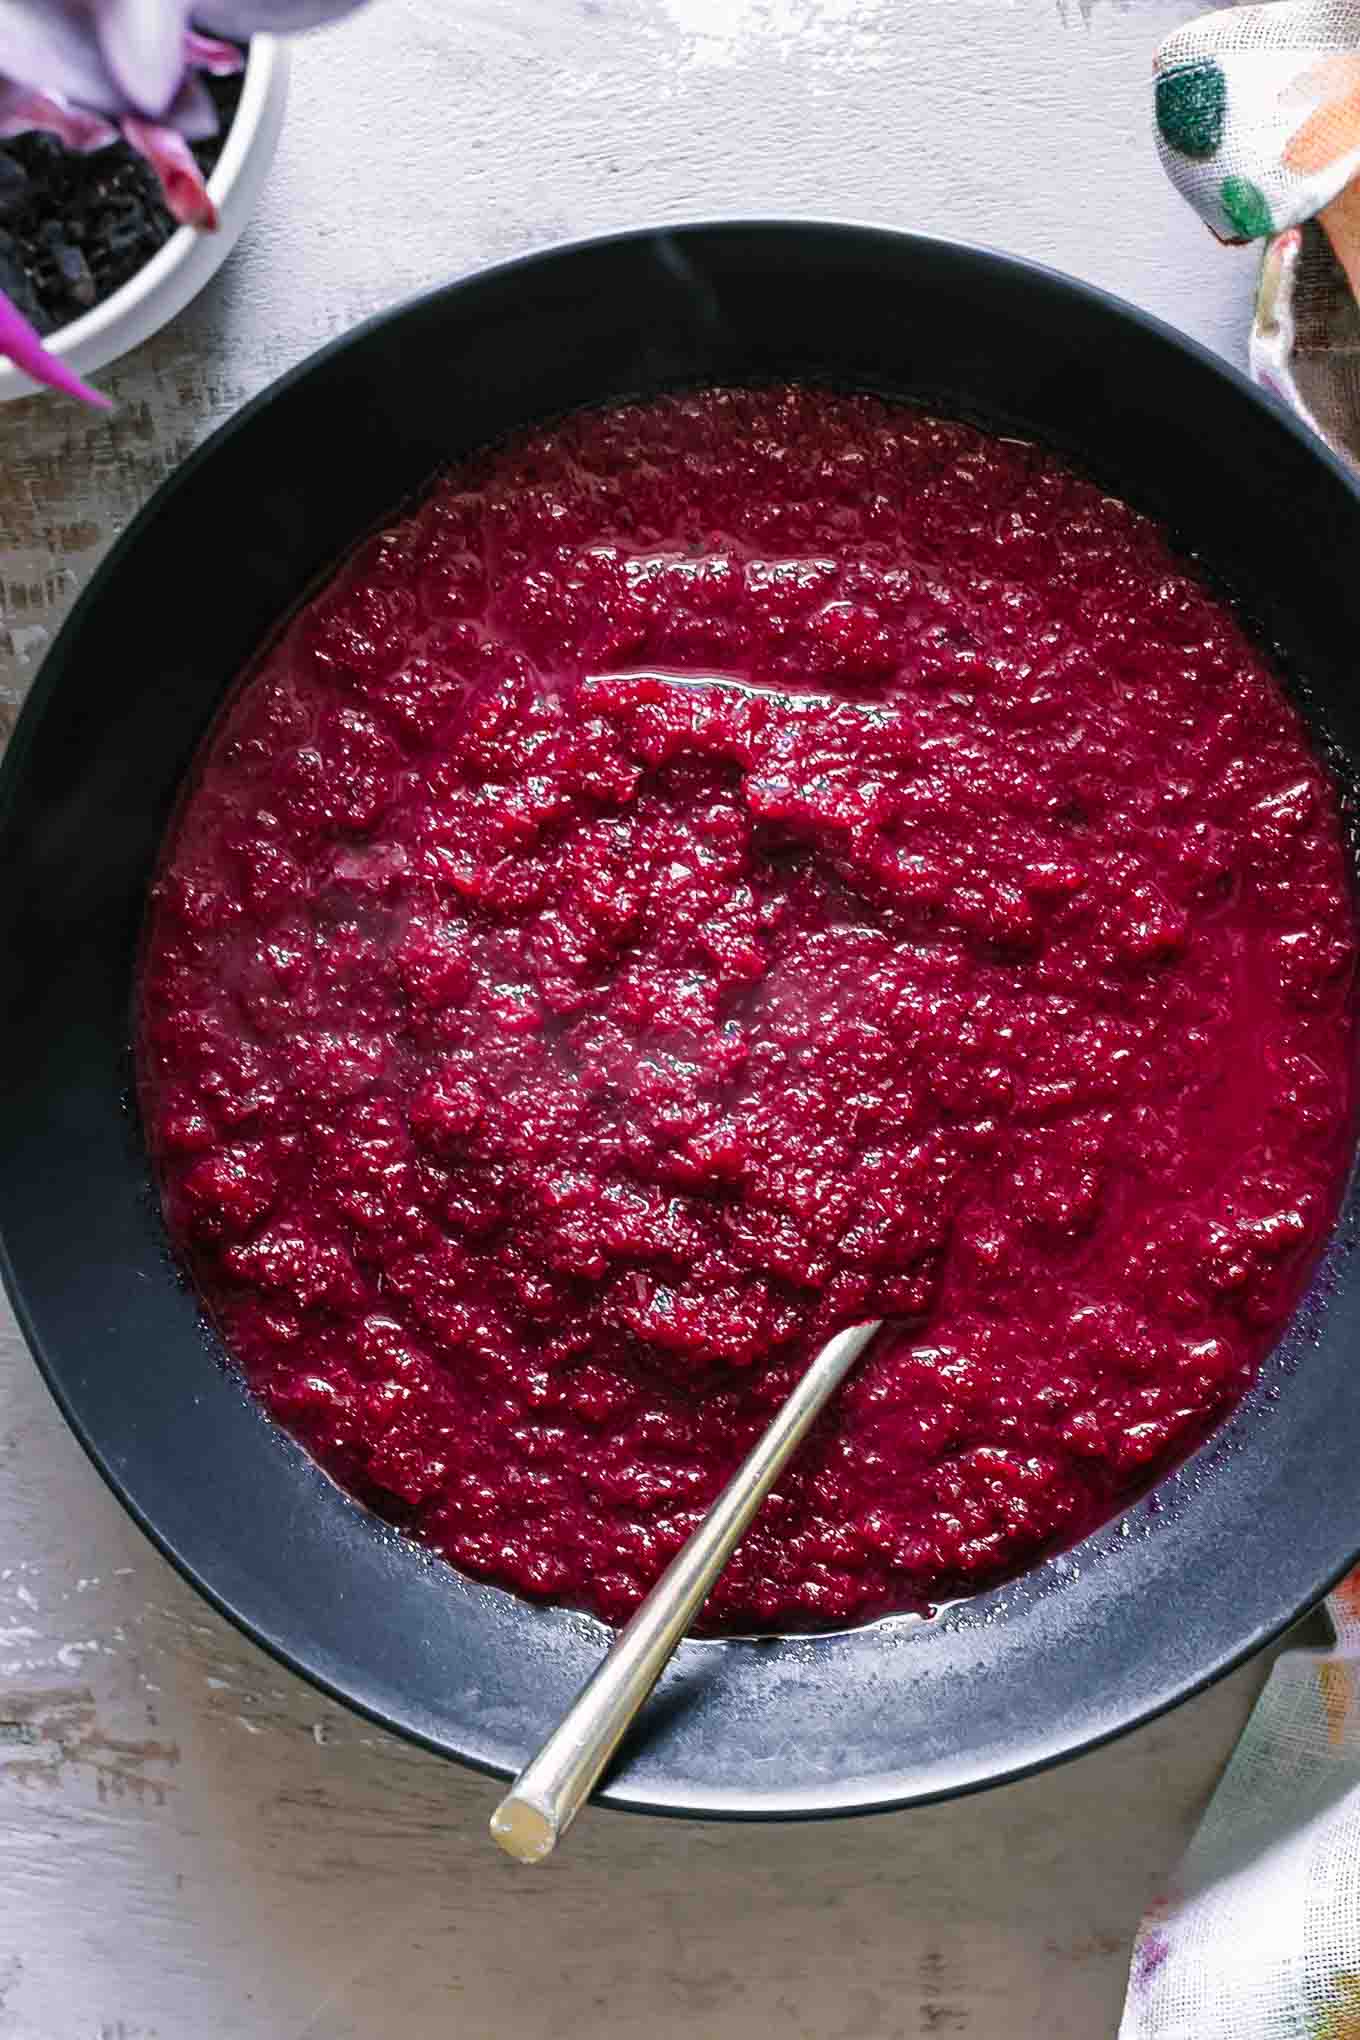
1259 127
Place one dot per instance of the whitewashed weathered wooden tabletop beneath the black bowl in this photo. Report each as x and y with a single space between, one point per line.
191 1841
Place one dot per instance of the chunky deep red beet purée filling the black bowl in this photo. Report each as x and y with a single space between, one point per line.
539 1066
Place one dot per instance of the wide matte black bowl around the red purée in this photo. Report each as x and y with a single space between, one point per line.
1212 1566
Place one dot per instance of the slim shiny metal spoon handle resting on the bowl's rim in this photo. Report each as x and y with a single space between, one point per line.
556 1784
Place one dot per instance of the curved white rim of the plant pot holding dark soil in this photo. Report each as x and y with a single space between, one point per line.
180 270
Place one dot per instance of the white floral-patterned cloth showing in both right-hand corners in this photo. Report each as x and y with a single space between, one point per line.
1259 1931
